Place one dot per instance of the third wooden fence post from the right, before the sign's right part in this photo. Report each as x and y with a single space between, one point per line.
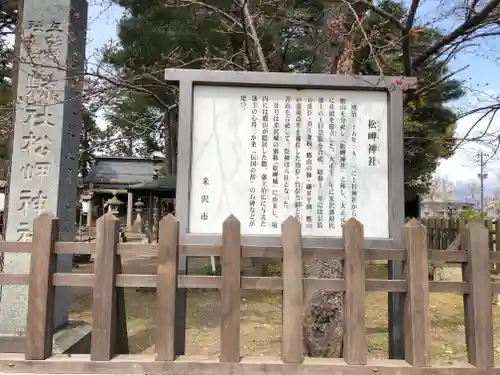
354 295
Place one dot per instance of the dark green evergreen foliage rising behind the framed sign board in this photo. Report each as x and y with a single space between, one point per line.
156 34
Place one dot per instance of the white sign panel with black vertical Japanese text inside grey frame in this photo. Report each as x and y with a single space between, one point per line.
263 154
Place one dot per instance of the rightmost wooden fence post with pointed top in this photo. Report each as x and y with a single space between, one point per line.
477 304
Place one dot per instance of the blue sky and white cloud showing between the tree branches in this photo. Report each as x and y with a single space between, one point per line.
477 74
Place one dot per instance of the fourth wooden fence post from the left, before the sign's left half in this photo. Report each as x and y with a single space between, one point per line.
231 290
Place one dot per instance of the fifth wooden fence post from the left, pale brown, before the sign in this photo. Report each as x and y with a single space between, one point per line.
292 341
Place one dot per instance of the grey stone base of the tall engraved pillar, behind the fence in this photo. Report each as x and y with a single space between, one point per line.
74 338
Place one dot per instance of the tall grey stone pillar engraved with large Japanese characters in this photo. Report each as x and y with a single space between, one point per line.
46 139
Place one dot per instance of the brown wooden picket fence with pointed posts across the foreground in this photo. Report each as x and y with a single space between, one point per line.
108 319
